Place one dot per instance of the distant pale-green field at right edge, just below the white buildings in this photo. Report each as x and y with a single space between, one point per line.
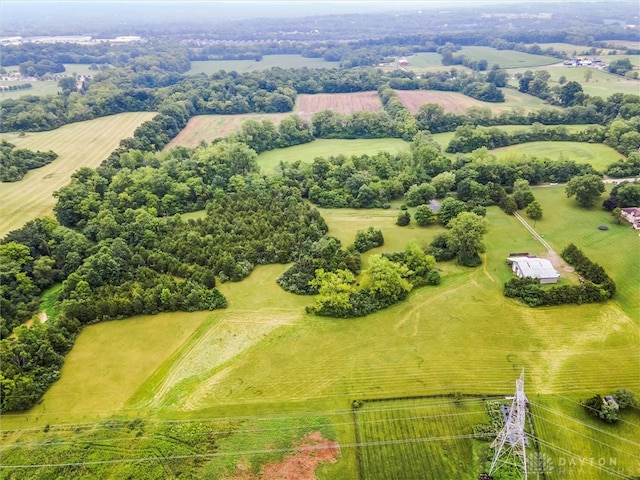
601 84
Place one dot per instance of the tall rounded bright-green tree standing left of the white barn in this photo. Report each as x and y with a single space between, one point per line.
466 234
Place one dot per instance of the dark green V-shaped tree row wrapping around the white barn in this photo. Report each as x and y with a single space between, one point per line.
596 286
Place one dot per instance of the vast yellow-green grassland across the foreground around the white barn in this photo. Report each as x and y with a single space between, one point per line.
264 358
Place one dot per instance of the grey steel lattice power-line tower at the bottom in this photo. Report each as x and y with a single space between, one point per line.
510 444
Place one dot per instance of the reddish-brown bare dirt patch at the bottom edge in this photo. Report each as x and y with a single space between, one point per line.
310 451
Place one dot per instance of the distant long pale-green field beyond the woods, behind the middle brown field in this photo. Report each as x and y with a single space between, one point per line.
268 61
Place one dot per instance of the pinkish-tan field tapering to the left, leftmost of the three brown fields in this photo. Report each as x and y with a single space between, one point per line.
207 127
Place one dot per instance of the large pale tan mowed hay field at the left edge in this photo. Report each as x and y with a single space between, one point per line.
82 144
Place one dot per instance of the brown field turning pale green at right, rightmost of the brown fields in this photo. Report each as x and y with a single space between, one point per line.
455 102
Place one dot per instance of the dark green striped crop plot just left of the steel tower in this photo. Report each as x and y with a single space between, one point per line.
419 438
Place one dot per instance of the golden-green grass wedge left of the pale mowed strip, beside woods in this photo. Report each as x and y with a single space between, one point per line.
108 363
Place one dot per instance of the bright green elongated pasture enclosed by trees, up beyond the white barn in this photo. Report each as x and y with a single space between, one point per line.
598 155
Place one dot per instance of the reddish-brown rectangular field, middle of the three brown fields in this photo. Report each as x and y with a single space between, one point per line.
344 103
